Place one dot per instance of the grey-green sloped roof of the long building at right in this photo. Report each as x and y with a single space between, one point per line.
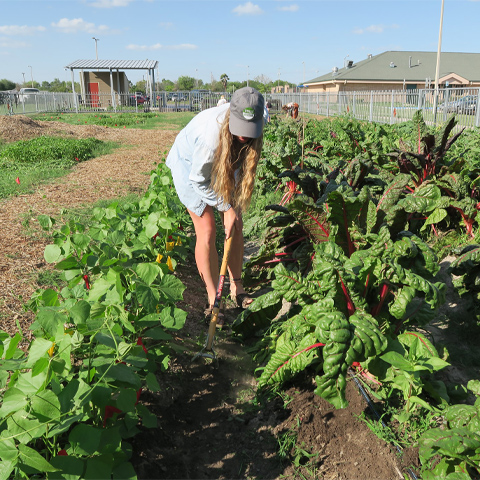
409 66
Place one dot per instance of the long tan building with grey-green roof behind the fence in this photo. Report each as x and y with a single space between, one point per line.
400 71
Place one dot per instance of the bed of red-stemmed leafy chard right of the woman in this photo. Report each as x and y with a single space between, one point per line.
350 243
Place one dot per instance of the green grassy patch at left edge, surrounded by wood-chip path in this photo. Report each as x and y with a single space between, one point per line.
28 163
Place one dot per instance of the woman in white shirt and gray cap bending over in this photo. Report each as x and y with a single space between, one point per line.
213 163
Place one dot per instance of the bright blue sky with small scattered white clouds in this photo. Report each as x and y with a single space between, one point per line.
288 40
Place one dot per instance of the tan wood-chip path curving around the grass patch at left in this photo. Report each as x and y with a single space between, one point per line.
120 173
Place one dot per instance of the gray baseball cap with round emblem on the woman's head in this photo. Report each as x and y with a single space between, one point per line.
246 113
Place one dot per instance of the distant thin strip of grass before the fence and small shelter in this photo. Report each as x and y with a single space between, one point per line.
141 120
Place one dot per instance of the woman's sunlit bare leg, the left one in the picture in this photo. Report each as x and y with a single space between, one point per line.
206 255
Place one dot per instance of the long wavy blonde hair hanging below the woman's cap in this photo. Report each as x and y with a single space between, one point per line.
229 157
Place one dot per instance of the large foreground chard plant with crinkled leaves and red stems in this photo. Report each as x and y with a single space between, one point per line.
355 286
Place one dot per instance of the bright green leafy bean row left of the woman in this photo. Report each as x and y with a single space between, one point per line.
74 399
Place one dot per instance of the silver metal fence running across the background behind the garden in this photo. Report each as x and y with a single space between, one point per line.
393 106
